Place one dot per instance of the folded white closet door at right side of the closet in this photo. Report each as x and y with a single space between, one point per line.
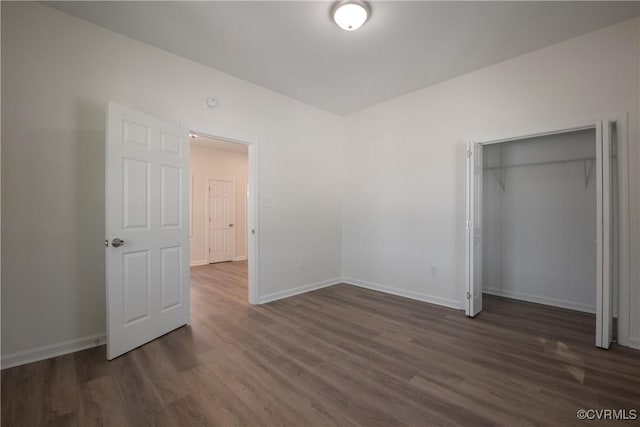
604 237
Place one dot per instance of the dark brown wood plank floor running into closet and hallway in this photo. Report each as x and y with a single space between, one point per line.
338 356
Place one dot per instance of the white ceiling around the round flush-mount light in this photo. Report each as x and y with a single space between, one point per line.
294 48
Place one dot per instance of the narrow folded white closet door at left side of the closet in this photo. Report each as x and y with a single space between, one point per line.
474 228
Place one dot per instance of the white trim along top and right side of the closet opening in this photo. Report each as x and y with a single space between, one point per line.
621 121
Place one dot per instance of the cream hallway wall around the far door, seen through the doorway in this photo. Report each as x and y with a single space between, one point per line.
216 163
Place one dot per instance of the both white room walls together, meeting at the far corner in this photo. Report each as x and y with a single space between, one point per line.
402 192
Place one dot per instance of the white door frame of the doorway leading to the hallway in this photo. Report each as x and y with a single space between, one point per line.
253 223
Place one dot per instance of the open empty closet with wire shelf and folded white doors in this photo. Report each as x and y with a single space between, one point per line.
544 224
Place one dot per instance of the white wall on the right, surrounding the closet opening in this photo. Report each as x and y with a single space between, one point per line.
403 227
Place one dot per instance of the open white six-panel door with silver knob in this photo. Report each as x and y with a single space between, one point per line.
147 226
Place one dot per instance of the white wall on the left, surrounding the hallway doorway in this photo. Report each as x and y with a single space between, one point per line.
58 74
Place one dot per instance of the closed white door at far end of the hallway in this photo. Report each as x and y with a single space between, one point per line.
221 221
